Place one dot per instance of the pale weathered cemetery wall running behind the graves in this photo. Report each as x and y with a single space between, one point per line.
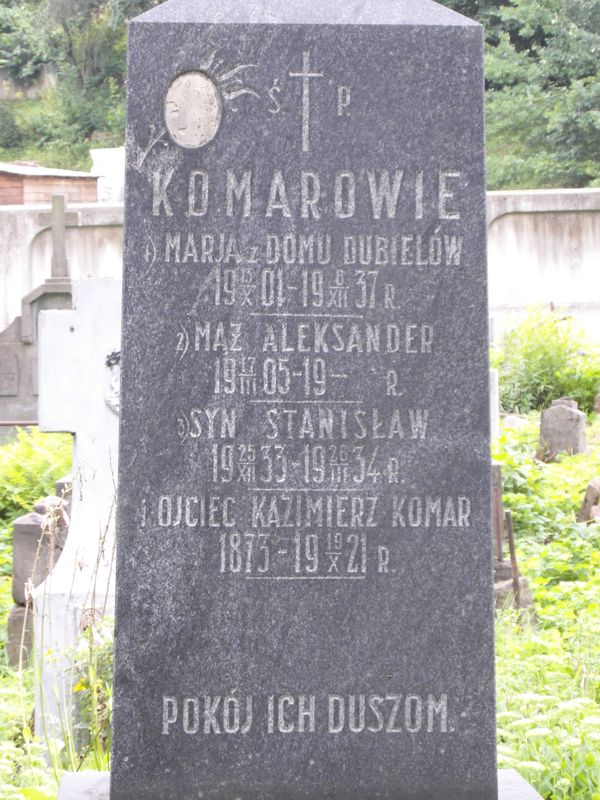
544 248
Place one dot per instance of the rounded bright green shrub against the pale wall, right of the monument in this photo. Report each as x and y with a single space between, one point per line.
546 357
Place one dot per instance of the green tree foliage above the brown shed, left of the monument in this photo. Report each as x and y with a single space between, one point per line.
83 44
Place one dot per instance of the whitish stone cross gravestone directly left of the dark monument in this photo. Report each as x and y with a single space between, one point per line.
78 382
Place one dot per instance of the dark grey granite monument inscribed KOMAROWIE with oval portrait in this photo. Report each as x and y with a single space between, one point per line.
304 581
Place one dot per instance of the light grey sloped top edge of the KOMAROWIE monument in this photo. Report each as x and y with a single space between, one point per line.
298 12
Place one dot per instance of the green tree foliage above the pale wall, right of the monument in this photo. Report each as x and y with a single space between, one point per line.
543 90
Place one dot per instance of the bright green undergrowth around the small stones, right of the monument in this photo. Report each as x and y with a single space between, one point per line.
548 673
